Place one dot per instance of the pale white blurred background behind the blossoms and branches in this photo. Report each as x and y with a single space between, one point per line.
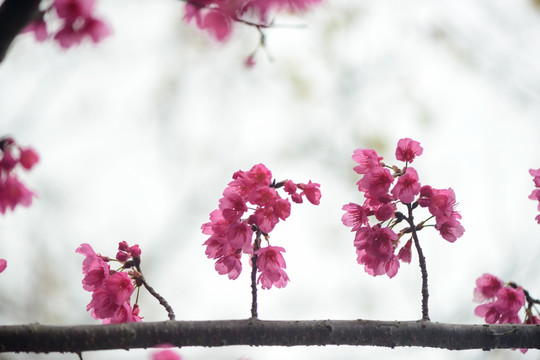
139 135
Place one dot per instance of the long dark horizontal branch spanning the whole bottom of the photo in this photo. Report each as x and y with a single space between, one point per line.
44 338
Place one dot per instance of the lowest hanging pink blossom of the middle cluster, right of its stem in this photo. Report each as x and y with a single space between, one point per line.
270 264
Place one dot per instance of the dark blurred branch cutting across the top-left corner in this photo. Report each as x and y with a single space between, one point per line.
14 16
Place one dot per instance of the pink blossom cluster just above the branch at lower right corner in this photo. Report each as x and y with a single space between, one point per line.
503 301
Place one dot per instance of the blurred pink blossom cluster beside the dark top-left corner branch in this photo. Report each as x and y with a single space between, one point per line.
77 23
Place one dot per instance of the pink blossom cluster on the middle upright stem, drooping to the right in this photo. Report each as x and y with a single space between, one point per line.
231 227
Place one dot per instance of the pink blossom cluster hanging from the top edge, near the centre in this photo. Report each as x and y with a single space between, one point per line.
218 16
